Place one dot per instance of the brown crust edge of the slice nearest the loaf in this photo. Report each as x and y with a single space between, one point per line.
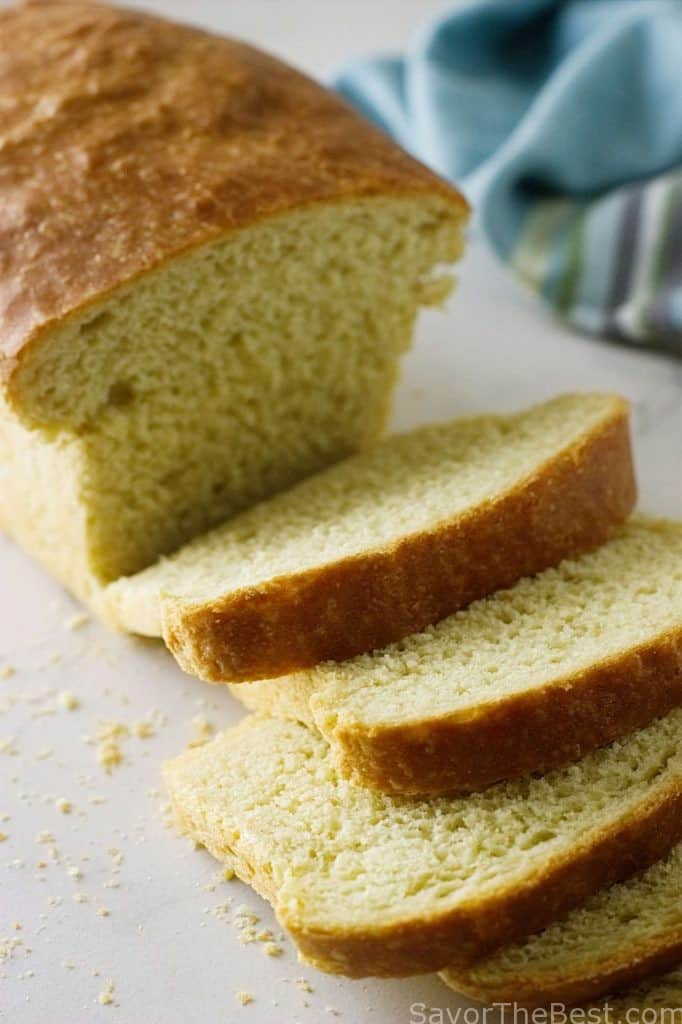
570 506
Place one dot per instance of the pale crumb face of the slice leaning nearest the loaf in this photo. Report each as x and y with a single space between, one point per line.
409 485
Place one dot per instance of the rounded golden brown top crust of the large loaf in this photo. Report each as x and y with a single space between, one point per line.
126 141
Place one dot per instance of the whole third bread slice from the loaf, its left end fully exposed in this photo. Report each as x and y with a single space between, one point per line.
369 884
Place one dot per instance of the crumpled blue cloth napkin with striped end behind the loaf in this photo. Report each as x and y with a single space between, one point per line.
563 121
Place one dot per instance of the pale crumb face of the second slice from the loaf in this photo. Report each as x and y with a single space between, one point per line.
543 631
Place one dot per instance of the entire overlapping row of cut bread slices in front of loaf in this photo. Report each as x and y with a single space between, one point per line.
495 794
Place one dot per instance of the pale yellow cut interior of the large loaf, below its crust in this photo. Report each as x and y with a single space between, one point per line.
229 374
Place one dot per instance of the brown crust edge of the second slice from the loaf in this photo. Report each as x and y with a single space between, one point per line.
533 732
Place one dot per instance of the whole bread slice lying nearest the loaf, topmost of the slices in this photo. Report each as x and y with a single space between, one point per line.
389 542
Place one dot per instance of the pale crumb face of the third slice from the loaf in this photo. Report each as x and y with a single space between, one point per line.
340 861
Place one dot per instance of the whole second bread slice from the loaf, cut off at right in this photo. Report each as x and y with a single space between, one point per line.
526 680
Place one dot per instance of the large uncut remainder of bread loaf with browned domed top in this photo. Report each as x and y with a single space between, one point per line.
210 270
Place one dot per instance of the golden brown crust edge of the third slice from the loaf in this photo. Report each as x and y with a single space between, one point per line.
461 937
